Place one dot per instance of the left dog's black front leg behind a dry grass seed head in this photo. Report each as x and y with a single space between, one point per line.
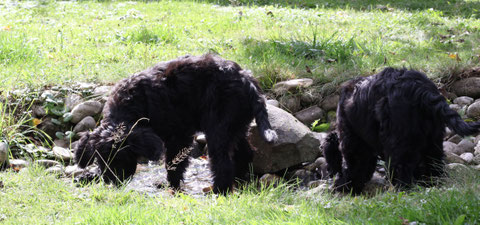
176 159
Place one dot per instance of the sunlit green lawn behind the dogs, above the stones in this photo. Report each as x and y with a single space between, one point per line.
48 42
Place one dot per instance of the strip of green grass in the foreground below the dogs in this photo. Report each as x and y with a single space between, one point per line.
34 197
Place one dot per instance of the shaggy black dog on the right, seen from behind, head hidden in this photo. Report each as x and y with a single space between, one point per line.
398 116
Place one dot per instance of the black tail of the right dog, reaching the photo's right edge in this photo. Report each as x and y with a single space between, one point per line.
452 119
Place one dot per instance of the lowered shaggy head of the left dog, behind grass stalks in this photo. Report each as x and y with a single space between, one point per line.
116 149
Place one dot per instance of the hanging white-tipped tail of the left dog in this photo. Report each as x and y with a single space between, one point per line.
260 113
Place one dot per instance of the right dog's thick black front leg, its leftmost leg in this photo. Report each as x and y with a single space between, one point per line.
360 163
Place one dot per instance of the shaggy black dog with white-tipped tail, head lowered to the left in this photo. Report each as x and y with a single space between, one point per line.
158 111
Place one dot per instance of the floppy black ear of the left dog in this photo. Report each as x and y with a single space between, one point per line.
144 142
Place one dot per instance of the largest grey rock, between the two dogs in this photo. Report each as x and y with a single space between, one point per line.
296 143
